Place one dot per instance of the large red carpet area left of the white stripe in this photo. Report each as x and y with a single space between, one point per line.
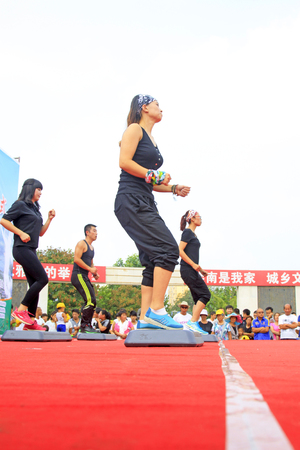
86 395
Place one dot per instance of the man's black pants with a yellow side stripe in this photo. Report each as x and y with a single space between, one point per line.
85 288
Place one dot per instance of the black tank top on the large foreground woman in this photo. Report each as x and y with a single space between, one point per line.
146 155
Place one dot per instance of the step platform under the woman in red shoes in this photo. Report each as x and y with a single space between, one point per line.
35 336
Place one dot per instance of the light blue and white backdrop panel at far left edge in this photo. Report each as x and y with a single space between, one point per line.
9 179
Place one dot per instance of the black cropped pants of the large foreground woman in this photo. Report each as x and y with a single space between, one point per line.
140 219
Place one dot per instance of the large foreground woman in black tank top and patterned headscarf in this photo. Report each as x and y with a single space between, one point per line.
135 209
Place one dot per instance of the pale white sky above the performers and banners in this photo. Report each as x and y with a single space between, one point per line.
226 75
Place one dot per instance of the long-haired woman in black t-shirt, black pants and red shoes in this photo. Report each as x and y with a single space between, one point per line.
26 222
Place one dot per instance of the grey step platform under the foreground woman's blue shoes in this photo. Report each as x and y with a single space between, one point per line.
162 338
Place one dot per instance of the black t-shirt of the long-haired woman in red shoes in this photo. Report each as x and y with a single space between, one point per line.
27 218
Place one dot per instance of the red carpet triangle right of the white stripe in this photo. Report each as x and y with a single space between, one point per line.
275 369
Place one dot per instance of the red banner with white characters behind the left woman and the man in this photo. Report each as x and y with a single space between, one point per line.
59 272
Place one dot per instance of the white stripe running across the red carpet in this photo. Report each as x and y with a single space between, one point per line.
250 424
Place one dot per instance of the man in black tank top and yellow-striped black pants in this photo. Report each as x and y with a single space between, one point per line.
83 264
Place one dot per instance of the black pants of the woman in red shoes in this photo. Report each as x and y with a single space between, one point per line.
35 274
